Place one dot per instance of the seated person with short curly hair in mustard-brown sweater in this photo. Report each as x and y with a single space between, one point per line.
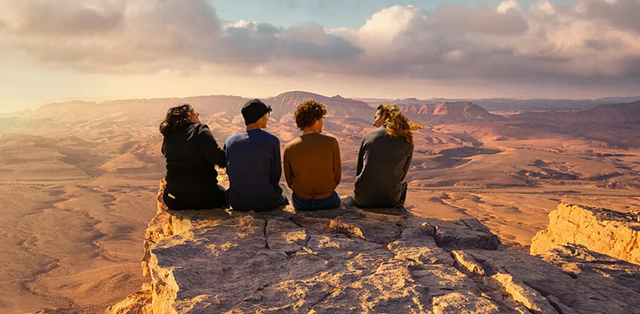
312 161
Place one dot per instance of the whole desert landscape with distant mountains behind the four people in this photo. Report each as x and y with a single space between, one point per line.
78 179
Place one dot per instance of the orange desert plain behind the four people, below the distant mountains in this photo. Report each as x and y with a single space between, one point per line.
75 200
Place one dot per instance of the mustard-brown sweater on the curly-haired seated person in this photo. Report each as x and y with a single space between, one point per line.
313 163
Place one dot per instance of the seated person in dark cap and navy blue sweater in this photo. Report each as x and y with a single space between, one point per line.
254 163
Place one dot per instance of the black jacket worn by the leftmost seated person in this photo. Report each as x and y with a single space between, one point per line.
191 153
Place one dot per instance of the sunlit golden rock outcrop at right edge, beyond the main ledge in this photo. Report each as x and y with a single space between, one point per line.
600 230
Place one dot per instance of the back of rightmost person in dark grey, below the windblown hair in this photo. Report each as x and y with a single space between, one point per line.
383 163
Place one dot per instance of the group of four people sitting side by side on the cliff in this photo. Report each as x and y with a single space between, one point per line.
311 161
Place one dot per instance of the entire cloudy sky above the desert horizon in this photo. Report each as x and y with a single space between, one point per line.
107 49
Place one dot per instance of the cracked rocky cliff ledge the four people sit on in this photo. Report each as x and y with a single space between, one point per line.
349 261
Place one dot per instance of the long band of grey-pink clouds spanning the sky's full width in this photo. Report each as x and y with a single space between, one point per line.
590 40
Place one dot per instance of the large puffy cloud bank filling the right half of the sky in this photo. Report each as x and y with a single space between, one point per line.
504 43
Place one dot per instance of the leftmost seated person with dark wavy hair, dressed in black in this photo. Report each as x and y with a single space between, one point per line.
191 153
